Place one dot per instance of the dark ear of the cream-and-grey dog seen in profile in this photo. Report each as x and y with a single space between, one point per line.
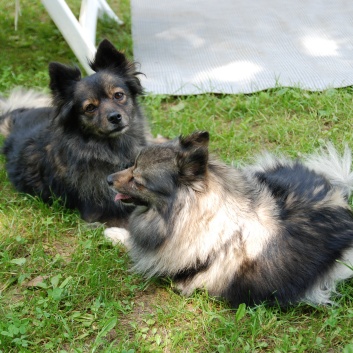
192 160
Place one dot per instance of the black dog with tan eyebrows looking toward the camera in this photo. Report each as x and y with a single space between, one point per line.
93 127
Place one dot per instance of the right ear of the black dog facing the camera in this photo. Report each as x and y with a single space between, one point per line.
108 58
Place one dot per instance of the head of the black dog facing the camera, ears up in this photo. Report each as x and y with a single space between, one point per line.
103 104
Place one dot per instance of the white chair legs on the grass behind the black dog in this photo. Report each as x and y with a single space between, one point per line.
80 34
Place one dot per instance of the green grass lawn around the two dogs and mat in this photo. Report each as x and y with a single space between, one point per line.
64 289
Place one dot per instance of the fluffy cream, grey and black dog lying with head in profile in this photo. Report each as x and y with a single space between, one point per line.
279 231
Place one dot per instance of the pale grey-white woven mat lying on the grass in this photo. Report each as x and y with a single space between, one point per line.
229 46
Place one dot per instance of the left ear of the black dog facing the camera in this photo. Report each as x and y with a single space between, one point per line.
62 80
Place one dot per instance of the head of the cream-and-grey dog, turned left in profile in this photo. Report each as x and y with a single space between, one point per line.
160 170
